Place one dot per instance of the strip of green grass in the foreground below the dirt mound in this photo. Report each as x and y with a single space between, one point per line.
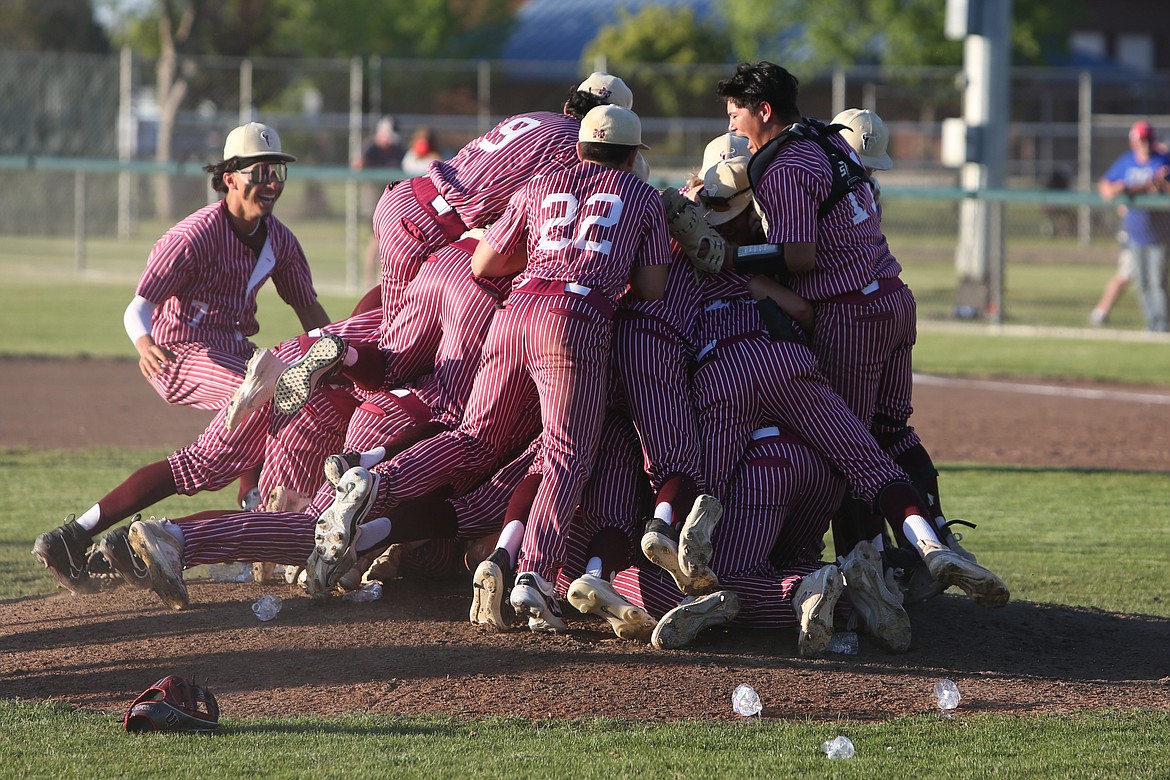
51 741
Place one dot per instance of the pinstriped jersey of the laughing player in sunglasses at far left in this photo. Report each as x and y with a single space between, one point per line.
205 279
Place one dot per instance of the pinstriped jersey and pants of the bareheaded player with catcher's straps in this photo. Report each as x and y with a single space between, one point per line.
865 314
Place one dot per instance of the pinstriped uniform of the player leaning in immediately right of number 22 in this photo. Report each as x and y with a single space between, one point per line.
653 346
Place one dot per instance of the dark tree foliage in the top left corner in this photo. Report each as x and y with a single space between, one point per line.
51 26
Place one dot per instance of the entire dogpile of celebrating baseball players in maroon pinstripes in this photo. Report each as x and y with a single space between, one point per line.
570 388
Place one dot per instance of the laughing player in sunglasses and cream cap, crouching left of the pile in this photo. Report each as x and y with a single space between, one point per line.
196 305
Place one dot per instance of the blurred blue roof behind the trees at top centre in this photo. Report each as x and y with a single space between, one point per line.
550 31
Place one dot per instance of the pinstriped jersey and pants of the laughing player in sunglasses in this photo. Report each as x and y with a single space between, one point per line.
204 281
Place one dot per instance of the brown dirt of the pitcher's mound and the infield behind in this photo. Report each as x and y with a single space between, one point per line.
415 653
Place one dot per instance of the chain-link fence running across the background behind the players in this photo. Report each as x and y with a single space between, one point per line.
80 144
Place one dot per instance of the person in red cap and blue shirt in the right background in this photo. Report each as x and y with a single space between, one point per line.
1145 170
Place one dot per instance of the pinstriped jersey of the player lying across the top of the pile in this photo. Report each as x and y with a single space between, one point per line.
480 180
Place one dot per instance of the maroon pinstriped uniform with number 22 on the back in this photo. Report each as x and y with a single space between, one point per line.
584 230
